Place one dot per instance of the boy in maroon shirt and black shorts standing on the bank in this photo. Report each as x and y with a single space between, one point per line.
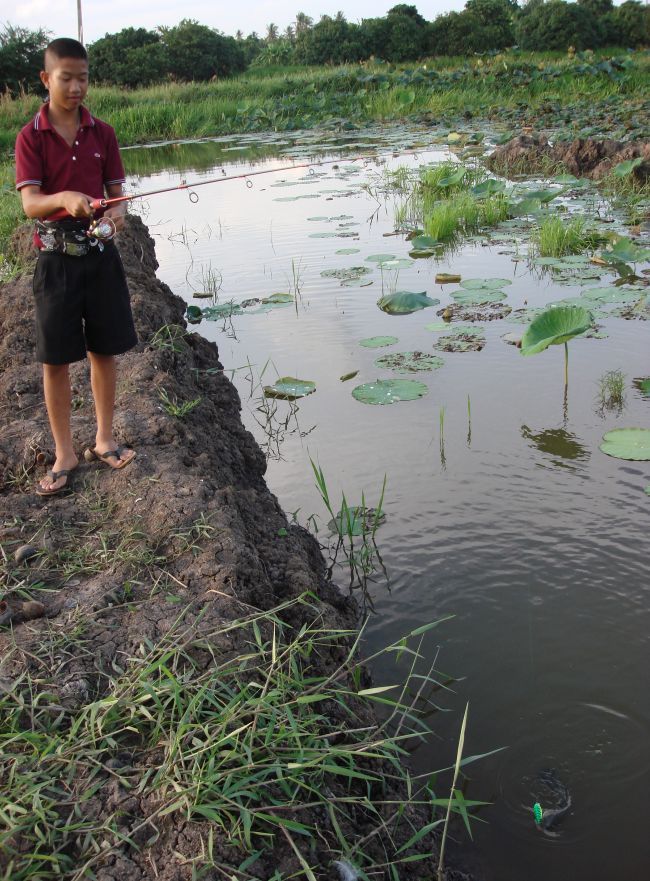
65 158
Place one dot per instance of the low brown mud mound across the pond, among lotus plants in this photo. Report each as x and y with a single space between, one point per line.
583 157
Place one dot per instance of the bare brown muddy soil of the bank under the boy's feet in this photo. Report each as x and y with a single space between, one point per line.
203 468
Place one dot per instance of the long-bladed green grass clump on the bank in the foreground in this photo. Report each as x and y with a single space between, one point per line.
255 744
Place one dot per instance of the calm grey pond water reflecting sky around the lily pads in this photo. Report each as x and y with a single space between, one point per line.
502 512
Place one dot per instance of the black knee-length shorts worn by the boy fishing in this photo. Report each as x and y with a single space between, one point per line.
82 304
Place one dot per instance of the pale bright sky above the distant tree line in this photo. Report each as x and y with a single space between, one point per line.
109 16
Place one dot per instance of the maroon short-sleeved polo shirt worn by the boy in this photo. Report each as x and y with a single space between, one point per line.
44 159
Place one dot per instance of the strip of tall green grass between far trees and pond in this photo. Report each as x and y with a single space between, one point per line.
561 92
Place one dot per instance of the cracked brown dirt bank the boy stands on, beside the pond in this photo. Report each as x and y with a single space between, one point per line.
186 540
